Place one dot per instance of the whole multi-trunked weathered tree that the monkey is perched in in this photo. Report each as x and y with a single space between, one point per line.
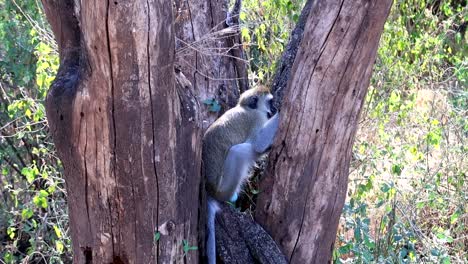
128 129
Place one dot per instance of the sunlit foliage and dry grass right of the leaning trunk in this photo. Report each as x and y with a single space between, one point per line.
407 196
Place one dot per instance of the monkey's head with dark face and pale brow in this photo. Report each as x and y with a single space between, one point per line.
258 99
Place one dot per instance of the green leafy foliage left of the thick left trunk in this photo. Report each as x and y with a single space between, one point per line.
33 216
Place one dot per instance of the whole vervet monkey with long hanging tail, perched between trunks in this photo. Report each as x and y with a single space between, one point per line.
231 146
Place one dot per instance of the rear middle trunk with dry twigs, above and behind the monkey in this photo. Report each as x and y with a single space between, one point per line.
206 53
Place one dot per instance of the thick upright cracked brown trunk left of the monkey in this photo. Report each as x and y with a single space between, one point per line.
127 134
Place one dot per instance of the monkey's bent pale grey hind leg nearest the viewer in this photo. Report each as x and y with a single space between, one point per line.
236 169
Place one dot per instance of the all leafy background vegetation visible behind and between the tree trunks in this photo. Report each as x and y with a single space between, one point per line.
407 198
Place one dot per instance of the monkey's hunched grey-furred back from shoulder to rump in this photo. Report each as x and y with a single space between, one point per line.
232 128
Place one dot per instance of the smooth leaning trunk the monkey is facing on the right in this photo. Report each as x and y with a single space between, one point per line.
304 188
